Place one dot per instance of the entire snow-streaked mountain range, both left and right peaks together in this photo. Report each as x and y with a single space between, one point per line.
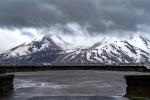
52 49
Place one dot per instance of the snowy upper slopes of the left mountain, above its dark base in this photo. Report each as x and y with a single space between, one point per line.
38 44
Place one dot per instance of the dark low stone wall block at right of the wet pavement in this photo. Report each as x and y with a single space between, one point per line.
138 85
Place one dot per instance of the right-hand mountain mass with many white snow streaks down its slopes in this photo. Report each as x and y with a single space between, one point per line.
133 50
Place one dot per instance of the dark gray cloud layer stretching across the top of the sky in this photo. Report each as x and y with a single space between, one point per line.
99 16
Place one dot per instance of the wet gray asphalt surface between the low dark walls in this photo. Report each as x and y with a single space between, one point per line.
70 85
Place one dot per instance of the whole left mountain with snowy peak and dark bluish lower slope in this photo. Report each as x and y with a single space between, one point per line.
43 50
